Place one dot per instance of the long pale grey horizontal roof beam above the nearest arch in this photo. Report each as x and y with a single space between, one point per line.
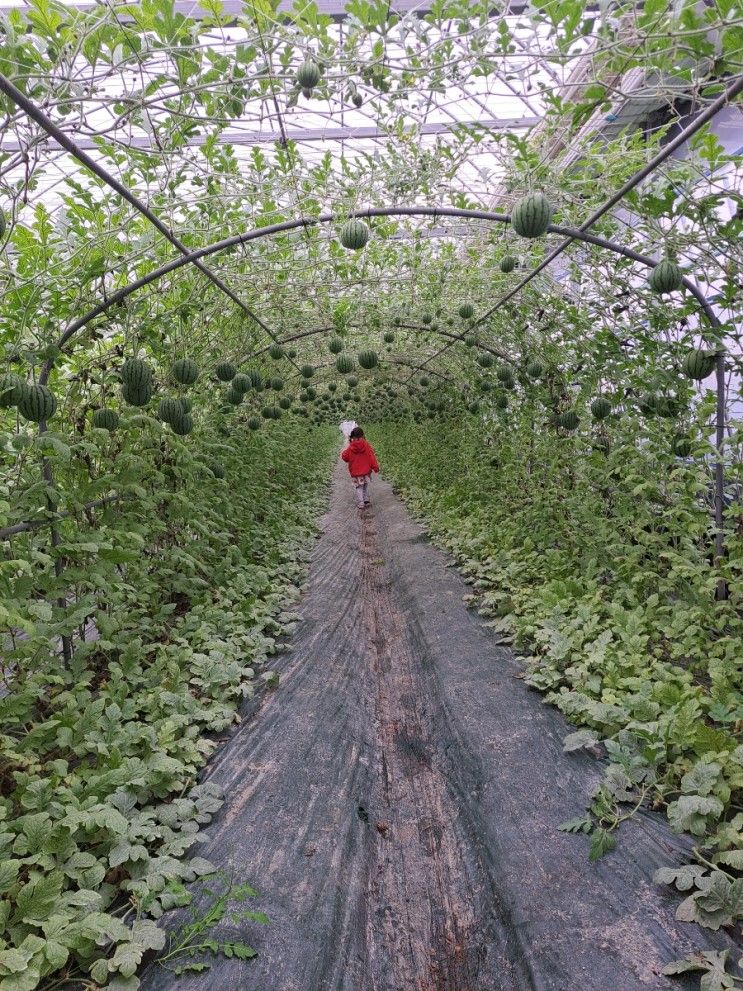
232 136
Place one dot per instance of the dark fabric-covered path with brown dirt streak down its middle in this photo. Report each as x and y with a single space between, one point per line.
396 802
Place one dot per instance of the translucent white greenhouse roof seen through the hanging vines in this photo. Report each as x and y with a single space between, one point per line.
198 110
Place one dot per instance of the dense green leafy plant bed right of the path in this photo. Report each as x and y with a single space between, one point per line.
612 601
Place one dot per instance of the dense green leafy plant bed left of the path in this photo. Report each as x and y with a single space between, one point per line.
189 587
